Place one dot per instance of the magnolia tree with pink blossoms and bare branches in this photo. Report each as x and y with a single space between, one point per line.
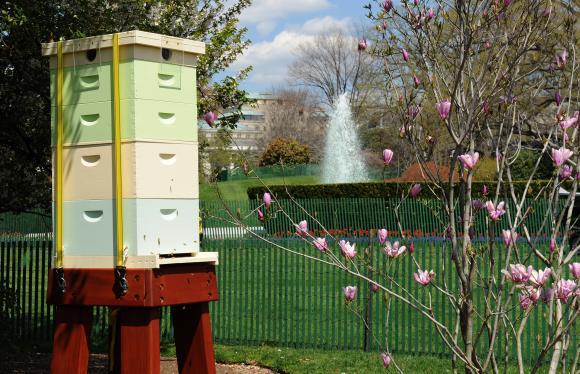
501 76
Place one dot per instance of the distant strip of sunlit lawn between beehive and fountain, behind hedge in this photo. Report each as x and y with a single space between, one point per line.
236 190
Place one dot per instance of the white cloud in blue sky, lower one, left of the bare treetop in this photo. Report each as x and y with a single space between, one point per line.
271 58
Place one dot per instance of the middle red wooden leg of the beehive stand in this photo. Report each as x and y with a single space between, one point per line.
138 336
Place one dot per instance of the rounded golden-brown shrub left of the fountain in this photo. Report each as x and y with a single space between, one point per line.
286 152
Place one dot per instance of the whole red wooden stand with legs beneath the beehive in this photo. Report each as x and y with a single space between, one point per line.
187 288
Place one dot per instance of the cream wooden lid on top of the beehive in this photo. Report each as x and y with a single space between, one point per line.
126 38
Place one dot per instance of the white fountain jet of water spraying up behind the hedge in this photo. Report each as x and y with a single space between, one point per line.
342 161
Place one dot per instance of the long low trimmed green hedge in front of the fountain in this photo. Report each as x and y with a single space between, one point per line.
378 190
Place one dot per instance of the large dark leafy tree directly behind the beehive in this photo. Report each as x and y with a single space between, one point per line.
24 80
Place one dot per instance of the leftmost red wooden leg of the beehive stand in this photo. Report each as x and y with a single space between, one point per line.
70 350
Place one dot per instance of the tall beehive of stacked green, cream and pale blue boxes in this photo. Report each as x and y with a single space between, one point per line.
157 96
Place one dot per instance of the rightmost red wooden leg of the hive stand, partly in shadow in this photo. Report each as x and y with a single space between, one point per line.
193 340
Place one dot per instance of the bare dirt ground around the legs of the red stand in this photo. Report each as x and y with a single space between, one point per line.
38 363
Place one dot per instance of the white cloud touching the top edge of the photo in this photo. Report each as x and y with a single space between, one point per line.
267 10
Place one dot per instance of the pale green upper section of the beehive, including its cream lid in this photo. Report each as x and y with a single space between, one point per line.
157 84
